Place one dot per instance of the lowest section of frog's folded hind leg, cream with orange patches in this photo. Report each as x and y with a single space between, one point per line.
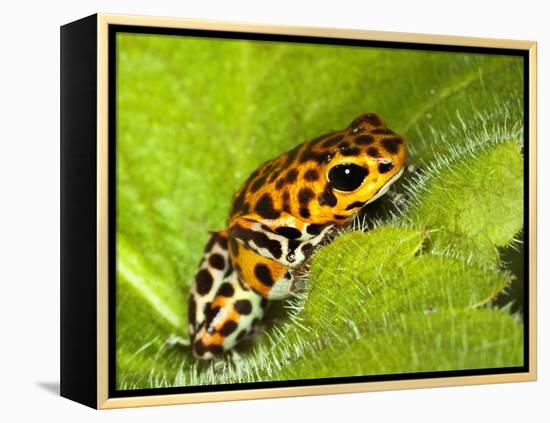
229 318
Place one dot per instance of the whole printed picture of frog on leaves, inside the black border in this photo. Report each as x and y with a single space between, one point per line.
301 211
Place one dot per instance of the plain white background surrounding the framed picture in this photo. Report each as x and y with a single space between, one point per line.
29 223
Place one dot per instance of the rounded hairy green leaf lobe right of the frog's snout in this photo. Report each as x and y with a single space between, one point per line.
473 201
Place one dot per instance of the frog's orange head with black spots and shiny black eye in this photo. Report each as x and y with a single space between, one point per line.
363 164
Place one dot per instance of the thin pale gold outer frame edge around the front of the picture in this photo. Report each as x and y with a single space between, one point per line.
103 401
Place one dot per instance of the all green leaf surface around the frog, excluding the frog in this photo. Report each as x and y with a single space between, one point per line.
196 116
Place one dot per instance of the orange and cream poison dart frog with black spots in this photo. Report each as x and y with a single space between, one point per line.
279 215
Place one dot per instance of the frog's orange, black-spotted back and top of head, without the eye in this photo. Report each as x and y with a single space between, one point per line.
296 183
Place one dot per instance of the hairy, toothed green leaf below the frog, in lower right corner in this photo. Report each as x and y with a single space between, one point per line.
423 296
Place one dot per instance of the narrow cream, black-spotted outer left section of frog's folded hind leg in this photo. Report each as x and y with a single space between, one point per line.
213 268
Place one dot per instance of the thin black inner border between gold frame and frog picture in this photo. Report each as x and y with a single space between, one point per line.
112 150
